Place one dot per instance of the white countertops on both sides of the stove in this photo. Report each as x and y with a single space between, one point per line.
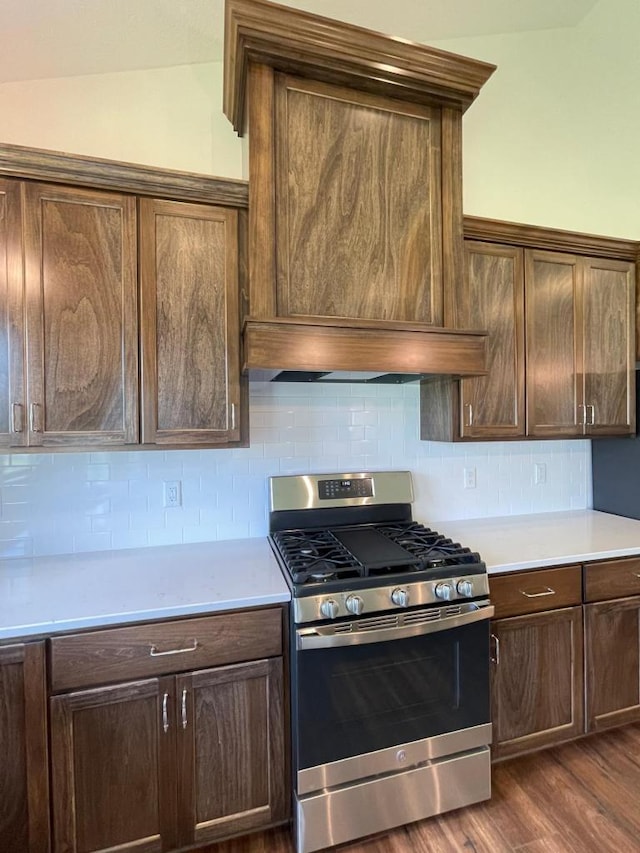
46 595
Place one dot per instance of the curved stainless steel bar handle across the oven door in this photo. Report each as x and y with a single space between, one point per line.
311 638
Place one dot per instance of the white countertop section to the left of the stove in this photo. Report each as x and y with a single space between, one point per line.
45 595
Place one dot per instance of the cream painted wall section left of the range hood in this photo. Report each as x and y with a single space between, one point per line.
167 117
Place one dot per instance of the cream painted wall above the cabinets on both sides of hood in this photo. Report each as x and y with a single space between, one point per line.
550 140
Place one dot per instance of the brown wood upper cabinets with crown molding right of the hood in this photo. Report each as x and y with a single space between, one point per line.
561 339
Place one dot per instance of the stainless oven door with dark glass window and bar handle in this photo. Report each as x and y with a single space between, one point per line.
418 682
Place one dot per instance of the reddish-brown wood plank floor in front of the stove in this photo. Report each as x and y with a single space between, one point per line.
583 797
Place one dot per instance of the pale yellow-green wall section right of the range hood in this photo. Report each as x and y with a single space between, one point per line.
551 140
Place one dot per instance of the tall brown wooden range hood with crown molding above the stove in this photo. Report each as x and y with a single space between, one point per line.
355 240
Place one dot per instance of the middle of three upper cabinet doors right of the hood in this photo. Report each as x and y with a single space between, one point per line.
554 345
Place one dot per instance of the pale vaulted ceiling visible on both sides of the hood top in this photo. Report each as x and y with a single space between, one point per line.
61 38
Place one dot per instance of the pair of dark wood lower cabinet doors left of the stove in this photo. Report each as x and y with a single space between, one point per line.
165 763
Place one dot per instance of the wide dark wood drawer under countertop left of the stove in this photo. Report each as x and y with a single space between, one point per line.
157 648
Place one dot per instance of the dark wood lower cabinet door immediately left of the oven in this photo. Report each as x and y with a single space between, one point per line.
231 751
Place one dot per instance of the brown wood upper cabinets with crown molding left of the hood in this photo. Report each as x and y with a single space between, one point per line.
73 264
